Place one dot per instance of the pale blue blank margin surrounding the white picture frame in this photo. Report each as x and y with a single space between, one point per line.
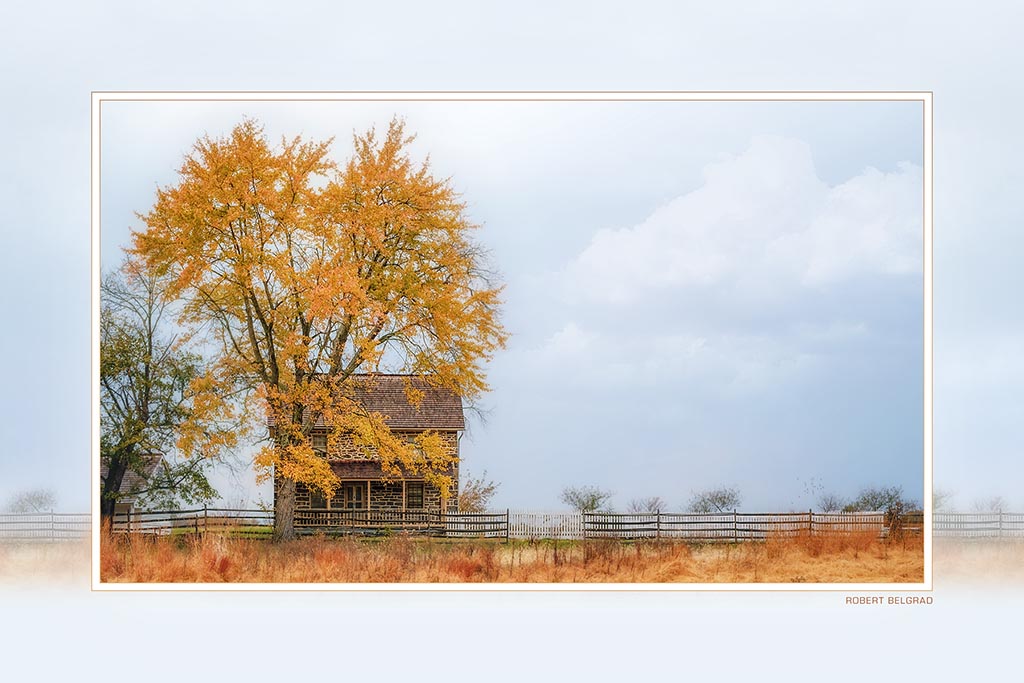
53 56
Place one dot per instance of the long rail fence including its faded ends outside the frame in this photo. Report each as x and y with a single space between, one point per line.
730 527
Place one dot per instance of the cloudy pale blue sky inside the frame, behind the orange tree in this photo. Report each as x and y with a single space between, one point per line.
700 294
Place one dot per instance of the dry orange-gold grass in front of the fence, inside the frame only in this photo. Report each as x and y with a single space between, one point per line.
817 560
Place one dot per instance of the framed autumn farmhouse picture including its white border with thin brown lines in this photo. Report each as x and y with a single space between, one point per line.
645 341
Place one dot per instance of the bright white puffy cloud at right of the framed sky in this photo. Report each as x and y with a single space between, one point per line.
761 221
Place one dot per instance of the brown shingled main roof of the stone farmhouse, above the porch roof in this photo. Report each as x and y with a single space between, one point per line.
441 409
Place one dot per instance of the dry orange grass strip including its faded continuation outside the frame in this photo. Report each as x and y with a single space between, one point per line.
999 564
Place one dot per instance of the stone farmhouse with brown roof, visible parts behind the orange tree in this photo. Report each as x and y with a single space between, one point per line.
364 486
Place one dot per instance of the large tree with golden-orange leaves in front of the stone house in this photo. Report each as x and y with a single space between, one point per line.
314 276
